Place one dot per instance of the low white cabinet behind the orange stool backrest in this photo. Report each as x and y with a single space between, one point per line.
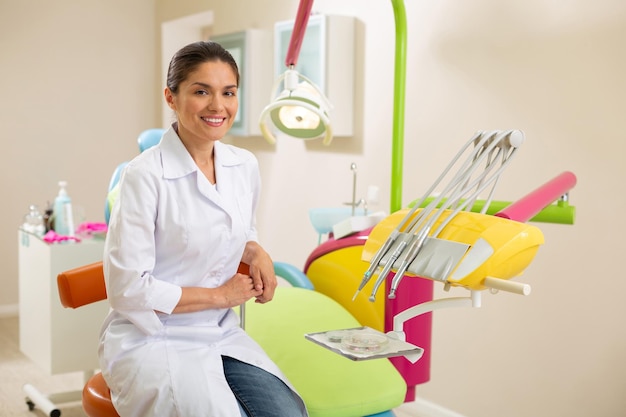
59 339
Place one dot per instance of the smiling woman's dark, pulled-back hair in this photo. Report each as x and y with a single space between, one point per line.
187 59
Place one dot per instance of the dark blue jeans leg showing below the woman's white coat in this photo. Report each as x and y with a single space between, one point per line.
259 393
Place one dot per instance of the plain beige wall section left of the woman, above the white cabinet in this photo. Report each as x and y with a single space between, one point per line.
78 85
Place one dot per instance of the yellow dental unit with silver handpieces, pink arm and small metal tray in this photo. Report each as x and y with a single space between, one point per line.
458 239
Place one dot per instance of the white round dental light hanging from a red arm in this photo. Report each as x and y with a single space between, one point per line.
301 110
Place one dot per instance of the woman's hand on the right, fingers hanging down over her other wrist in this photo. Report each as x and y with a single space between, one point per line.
261 271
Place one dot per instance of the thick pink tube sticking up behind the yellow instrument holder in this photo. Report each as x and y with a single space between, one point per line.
531 204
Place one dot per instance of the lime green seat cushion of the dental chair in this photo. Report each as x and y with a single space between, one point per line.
330 384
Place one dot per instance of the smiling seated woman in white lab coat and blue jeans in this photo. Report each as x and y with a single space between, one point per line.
183 221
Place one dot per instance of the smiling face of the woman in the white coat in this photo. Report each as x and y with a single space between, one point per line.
206 103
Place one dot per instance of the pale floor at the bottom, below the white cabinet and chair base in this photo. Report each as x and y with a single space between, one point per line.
17 370
